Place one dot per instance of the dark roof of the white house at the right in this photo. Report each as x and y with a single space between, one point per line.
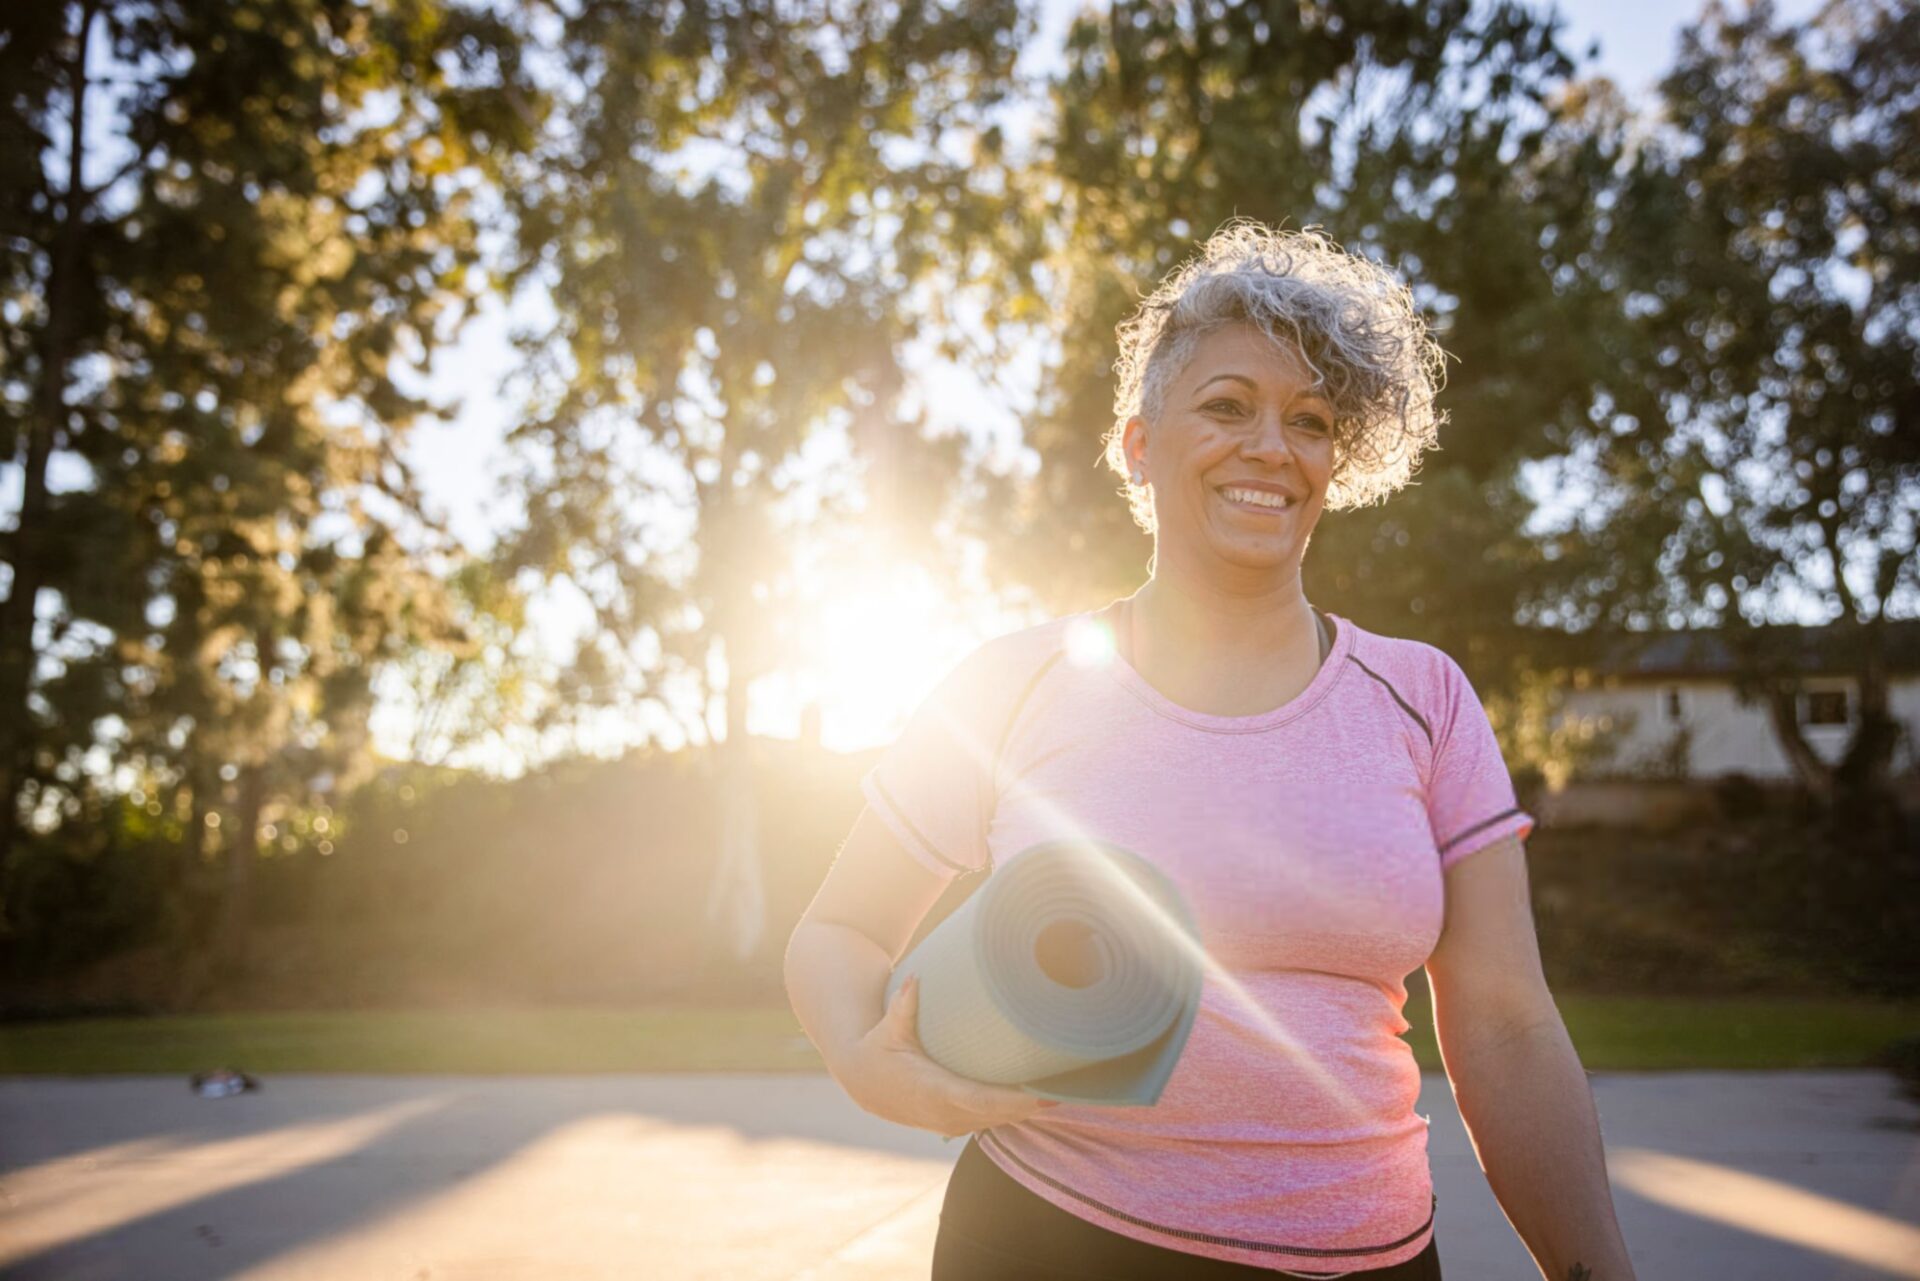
1727 652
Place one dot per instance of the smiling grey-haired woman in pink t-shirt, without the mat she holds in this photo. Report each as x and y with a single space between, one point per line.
1332 804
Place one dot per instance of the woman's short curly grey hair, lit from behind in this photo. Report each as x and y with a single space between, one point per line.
1349 318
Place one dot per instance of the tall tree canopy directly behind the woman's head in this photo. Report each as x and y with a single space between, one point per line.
1420 135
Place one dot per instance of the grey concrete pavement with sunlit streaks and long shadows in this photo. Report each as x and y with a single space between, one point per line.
1810 1176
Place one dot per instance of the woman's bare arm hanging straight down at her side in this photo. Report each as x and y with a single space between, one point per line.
1516 1076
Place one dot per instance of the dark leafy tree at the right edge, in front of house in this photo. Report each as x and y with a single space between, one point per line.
1756 425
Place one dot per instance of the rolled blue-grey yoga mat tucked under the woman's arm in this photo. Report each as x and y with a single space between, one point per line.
1072 973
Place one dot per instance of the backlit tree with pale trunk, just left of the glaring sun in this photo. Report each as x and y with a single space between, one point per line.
713 318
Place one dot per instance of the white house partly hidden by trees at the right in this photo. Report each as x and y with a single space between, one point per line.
1669 698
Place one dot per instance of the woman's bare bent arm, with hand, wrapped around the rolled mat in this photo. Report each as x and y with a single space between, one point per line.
838 965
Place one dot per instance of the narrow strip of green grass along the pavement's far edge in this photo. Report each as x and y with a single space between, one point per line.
1612 1034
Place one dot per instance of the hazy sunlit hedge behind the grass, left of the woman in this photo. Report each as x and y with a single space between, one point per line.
583 882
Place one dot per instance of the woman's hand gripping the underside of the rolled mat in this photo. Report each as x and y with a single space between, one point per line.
892 1076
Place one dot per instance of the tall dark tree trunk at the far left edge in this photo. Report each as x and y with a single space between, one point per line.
49 402
